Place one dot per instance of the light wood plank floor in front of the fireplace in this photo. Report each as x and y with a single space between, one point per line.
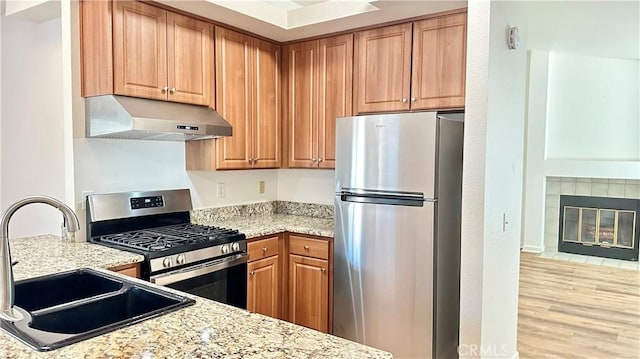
574 310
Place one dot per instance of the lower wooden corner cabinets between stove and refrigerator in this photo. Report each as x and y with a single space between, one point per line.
289 276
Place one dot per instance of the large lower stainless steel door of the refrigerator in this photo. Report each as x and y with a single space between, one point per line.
383 276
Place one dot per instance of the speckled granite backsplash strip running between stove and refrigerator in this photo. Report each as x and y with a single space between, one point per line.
210 215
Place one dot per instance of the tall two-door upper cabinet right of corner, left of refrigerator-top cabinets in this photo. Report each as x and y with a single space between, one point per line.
319 89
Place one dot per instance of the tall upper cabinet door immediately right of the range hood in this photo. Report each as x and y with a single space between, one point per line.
233 97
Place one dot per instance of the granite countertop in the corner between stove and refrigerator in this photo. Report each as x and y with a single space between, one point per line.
263 225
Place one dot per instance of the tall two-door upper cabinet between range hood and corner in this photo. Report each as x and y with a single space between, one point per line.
248 96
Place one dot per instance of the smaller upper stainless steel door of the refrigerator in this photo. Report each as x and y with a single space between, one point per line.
394 152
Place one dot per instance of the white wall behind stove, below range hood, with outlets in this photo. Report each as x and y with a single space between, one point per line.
113 165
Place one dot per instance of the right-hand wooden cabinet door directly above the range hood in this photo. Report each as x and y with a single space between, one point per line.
189 60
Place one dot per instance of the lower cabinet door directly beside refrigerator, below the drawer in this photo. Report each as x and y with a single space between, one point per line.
309 292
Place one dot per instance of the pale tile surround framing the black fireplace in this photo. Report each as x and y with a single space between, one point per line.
598 187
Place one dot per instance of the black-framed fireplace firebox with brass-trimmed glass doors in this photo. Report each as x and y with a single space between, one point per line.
599 226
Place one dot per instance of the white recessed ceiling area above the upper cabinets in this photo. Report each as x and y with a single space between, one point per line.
285 20
